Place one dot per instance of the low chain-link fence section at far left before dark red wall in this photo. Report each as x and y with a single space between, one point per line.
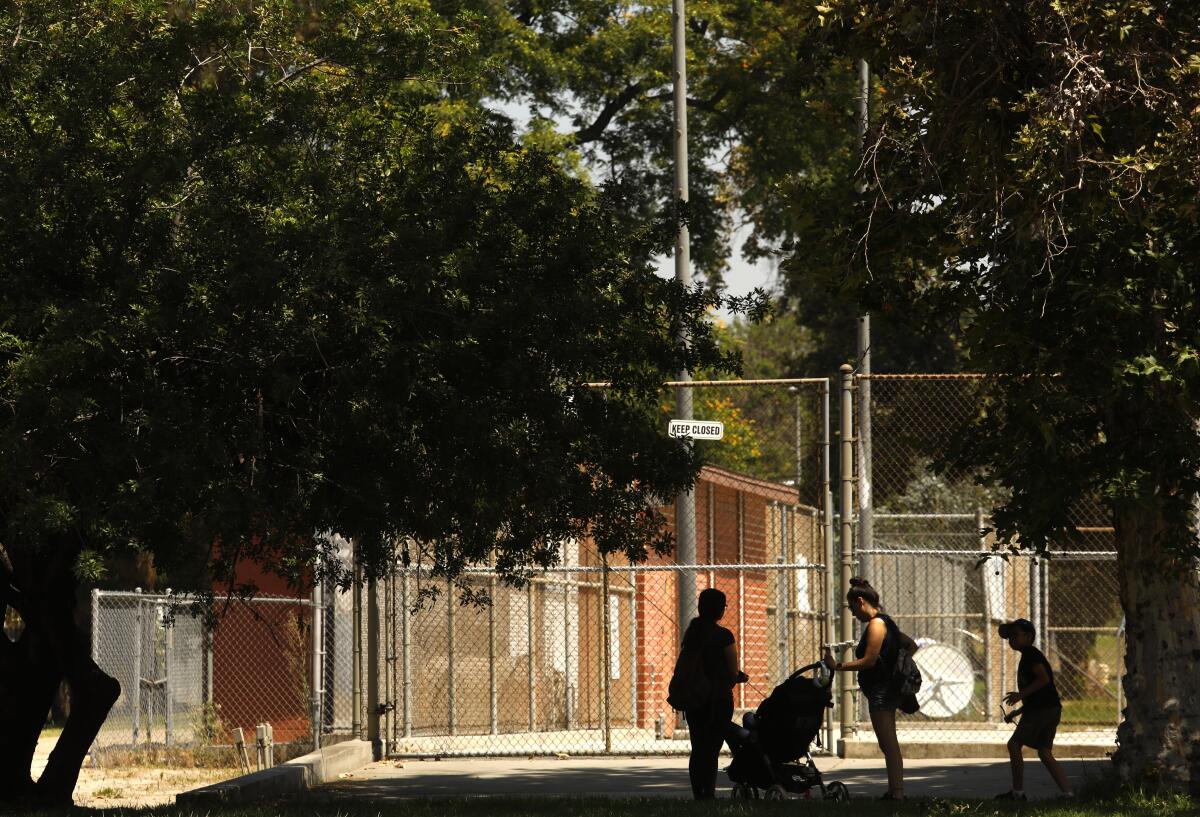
189 687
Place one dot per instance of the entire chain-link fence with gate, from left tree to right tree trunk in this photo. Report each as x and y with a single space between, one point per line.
578 660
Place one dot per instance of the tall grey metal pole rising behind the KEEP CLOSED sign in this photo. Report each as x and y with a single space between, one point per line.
686 504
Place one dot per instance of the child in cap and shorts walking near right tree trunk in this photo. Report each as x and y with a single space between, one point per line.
1041 713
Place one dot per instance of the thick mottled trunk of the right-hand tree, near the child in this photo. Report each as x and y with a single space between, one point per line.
1160 738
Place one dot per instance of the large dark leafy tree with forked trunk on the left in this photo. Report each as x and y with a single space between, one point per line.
266 274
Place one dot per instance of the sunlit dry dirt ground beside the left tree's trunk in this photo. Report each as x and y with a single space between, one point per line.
131 786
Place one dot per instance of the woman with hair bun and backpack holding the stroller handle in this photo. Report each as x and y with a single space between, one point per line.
875 662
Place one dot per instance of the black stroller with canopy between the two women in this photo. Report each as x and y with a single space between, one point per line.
777 736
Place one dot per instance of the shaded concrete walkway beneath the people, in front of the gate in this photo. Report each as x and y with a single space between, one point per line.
659 777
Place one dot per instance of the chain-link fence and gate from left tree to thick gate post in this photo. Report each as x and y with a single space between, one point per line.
578 660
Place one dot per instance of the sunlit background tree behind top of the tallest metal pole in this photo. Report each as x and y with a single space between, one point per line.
759 130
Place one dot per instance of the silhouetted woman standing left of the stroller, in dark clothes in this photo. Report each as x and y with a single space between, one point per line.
712 660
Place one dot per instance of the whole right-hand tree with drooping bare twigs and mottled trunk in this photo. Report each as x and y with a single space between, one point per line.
1033 167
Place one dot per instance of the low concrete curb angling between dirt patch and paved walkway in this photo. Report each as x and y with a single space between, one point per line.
293 777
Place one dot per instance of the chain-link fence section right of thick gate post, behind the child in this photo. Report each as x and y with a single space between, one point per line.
923 540
